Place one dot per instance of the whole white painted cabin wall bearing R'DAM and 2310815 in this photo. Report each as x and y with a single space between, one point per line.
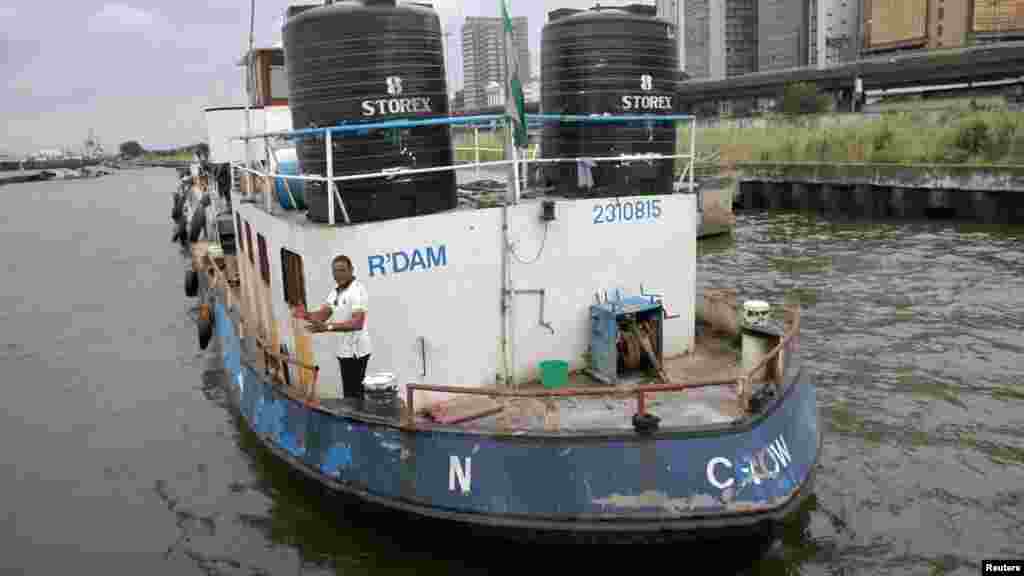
456 307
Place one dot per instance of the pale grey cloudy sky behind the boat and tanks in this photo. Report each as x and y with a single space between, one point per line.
145 69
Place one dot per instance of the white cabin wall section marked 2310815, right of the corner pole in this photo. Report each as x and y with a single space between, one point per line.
581 259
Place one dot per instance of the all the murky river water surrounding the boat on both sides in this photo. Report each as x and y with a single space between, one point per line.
121 458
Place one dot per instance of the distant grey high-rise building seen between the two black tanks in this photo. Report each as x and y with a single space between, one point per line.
484 56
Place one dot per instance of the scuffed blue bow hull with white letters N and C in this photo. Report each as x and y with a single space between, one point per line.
609 483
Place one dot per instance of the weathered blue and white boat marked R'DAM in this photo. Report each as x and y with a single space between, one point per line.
542 364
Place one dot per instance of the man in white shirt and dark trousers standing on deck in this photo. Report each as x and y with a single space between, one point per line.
348 303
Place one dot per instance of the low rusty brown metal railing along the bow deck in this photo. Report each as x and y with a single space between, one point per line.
775 361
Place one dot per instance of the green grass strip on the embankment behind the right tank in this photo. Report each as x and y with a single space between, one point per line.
956 137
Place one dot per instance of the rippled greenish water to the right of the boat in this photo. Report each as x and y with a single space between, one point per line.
915 331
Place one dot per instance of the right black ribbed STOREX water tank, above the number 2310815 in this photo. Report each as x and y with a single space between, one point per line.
609 62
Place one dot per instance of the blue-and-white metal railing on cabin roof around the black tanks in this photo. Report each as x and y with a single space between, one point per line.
332 181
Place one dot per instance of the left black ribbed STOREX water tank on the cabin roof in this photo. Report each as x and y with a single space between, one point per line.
371 62
